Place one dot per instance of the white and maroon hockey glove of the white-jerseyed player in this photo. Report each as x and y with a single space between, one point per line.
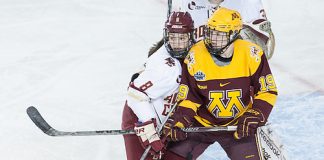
148 135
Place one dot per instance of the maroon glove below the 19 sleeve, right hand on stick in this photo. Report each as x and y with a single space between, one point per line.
248 123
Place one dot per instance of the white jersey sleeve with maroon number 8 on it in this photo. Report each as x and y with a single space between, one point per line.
158 78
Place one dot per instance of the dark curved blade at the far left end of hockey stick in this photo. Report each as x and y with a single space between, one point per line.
38 120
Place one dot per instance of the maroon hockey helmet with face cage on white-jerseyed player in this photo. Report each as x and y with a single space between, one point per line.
179 29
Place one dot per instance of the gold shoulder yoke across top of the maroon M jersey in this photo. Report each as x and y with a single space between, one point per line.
199 60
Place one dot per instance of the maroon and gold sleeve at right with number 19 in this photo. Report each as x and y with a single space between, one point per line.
263 83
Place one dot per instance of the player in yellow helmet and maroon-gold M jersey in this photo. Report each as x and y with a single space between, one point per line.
215 89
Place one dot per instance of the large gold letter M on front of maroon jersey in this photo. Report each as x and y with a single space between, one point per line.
225 104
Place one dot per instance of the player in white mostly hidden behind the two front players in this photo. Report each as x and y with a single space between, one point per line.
257 28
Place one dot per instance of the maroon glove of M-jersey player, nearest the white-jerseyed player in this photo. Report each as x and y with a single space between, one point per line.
172 128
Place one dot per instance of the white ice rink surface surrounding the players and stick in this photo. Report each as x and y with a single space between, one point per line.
72 59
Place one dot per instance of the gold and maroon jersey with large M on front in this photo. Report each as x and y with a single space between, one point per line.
218 95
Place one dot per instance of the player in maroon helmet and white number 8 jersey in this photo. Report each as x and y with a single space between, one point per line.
153 91
